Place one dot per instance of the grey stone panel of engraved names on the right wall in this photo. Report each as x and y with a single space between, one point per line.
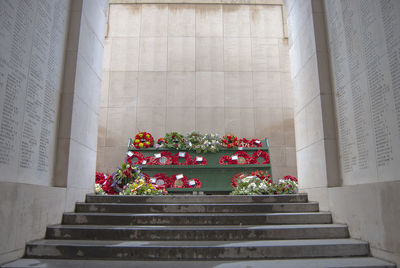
364 39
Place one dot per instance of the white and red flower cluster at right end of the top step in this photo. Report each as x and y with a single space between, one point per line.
253 185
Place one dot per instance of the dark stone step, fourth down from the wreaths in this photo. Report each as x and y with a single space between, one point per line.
216 233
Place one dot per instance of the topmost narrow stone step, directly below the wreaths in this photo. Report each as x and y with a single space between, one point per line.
203 199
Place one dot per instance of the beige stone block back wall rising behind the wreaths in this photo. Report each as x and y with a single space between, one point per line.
210 68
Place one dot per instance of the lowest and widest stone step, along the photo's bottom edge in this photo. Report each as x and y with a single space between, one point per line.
355 262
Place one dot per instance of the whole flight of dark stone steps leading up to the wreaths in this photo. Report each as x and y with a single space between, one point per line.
198 231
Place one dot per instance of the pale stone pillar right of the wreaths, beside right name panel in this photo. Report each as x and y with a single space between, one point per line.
316 143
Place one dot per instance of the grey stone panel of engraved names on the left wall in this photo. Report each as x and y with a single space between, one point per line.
32 45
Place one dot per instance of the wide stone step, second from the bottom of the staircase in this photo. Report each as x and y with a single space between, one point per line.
201 250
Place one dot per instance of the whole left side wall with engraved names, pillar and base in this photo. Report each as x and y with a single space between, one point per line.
55 49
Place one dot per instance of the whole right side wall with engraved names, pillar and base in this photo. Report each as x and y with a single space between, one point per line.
347 131
